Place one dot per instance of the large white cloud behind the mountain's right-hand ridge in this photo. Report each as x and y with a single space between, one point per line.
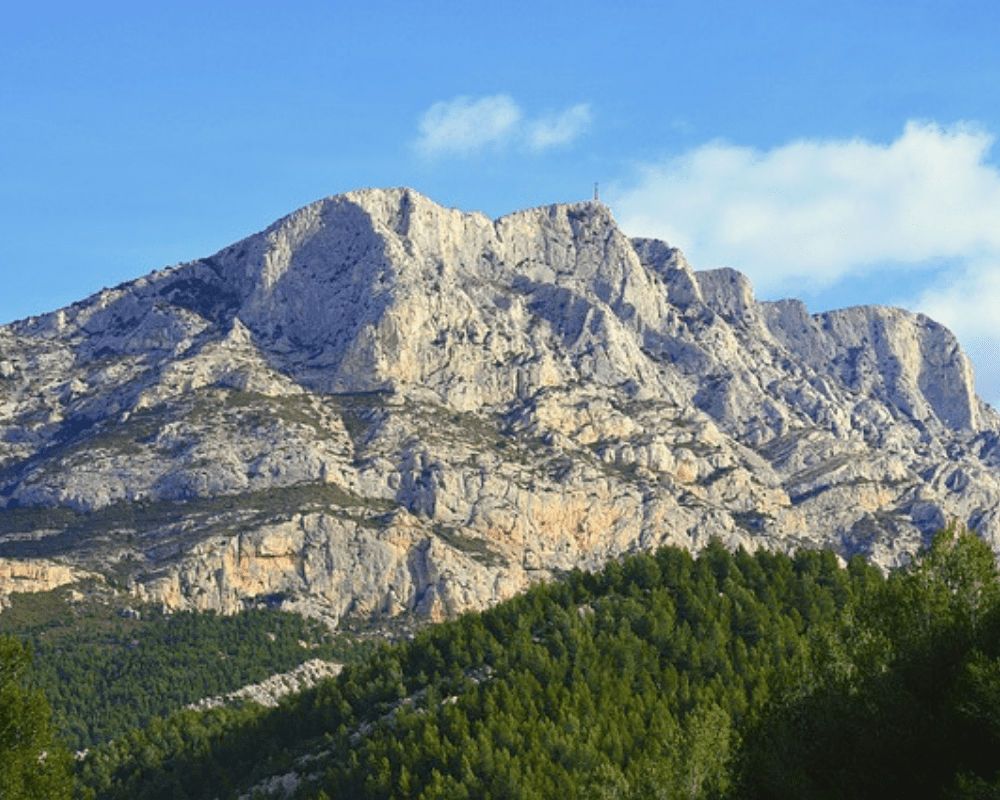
804 215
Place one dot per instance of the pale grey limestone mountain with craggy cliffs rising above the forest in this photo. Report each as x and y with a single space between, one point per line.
378 404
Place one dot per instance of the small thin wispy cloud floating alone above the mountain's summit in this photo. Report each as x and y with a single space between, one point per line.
465 126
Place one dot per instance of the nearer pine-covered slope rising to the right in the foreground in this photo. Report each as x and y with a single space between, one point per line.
725 675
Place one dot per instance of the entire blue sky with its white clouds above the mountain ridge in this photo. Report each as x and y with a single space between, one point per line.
844 153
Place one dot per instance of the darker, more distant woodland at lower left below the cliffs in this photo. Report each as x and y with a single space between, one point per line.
105 674
